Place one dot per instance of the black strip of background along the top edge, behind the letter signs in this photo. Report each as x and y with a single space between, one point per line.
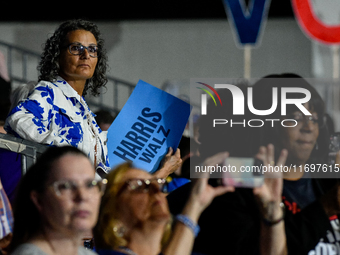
97 10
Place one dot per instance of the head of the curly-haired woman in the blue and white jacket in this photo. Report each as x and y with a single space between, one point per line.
75 52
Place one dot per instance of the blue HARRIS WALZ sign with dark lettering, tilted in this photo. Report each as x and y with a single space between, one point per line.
150 122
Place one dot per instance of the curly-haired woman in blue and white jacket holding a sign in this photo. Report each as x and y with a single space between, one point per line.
72 64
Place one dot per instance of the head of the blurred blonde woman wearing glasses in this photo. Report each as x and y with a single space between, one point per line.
133 205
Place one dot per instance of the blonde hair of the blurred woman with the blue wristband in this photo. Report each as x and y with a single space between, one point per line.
104 235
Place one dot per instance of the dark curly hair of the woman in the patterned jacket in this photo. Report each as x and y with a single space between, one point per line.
49 63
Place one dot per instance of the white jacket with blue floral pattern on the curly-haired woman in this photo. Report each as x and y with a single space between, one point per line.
55 114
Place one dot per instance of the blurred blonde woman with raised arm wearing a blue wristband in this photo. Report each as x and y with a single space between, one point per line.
134 216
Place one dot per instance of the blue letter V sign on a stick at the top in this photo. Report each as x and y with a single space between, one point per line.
247 23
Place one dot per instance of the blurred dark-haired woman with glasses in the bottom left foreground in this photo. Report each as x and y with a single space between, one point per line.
57 204
